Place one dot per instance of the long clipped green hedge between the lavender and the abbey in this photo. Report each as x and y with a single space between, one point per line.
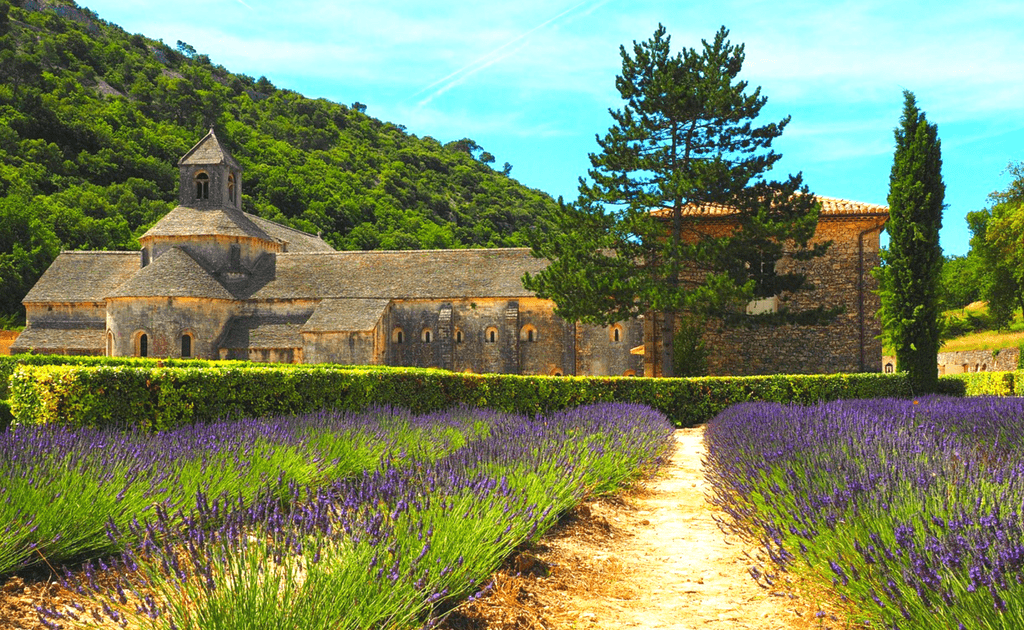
159 398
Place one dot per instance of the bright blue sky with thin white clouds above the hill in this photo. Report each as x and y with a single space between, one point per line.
532 81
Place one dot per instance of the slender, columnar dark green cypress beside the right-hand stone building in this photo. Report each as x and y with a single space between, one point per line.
914 261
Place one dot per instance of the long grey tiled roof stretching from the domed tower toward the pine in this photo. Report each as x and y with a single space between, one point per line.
402 275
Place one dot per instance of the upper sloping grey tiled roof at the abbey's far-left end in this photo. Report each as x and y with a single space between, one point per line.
84 277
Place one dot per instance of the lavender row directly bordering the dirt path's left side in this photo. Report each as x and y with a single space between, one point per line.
392 548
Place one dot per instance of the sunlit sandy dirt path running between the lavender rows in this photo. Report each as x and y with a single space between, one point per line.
654 559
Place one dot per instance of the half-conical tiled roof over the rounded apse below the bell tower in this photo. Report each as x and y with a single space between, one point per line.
176 274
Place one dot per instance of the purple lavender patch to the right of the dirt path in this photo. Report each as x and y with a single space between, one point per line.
914 511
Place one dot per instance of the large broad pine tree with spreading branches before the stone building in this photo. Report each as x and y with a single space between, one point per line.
685 139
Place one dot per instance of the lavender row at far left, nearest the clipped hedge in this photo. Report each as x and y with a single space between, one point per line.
60 488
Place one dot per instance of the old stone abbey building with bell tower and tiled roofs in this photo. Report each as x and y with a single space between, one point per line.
214 282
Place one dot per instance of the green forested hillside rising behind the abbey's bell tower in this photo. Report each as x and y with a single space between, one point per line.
94 120
